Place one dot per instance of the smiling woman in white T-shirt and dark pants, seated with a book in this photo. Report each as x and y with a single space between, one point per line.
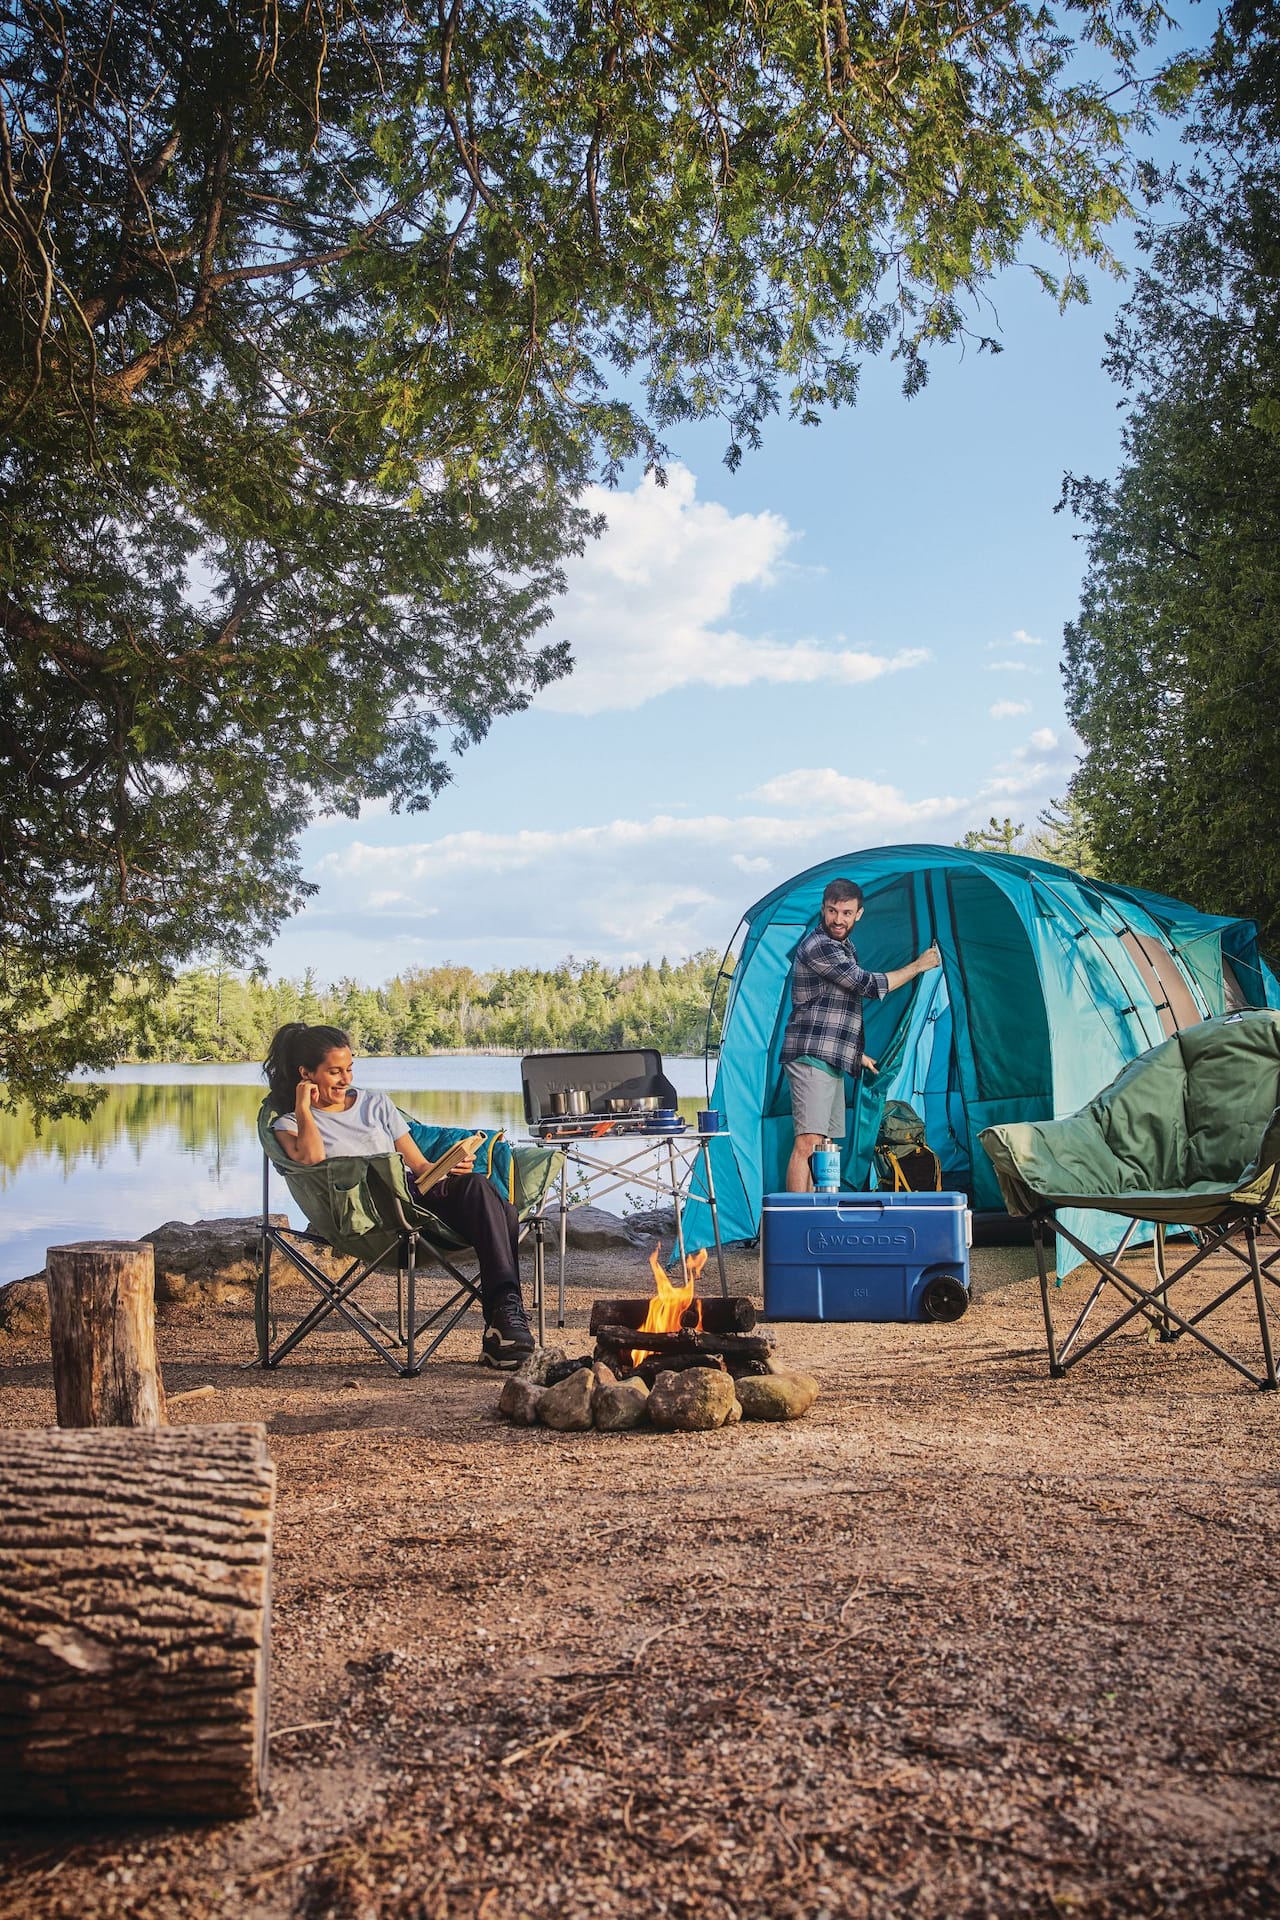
320 1113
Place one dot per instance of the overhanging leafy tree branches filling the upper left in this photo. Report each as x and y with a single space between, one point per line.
314 324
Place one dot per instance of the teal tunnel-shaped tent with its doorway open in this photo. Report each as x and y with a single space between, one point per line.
1049 986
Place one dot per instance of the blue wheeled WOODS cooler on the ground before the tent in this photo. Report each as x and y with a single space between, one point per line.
866 1257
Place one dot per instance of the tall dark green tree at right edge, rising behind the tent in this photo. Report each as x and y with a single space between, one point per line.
1173 671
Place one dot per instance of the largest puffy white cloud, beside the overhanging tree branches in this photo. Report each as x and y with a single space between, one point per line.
648 602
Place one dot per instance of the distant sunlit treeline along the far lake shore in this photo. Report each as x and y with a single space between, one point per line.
220 1015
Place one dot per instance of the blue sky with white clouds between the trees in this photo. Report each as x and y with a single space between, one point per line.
851 642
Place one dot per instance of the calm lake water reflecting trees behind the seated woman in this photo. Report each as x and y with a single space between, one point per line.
179 1143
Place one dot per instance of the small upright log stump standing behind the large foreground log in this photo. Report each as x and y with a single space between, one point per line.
103 1333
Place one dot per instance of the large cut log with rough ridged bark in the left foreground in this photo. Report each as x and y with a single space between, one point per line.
135 1612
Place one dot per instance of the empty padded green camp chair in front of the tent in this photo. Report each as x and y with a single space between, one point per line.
1187 1138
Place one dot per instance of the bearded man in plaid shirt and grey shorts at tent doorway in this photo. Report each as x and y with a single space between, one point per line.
824 1034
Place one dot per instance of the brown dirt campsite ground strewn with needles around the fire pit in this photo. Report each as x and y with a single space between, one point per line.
962 1643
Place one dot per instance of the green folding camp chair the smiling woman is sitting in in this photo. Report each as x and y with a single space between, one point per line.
364 1211
